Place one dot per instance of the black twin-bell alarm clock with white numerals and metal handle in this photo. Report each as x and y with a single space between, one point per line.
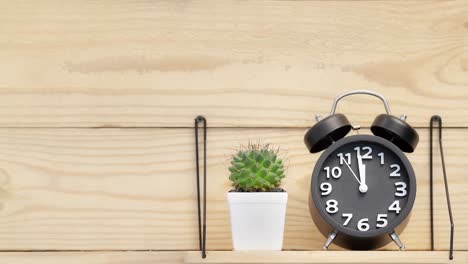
363 187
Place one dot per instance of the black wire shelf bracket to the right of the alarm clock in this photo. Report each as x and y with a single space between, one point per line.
438 119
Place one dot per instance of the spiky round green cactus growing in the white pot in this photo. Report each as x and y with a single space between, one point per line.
256 168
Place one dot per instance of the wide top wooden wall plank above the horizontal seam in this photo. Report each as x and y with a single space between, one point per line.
240 63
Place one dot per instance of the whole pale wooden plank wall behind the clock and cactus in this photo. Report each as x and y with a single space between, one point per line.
97 100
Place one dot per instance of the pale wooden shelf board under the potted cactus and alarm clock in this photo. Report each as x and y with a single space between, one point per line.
348 257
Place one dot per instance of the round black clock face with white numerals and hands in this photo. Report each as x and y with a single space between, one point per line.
363 186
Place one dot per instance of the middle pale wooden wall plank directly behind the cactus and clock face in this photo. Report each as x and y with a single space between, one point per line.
134 189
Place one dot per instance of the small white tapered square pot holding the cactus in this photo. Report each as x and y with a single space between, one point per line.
257 219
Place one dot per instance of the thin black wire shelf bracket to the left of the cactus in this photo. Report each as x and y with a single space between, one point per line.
201 231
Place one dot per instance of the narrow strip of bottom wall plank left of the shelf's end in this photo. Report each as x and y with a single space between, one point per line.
128 257
